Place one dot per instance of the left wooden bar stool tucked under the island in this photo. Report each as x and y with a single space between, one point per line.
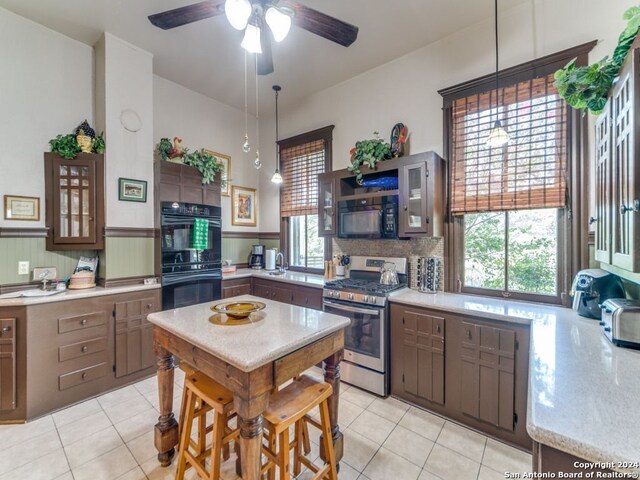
203 395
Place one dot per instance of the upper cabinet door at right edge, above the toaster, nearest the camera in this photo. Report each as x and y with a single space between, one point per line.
626 182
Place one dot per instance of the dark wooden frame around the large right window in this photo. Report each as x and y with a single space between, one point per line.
573 250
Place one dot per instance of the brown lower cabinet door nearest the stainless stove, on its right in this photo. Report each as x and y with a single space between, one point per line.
423 356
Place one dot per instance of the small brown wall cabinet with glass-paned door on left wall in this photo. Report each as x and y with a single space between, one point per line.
74 195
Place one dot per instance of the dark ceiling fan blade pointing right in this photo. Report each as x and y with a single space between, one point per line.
322 24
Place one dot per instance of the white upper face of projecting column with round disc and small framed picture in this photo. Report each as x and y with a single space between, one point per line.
125 82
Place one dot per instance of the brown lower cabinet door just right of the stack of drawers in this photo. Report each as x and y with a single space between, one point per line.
134 336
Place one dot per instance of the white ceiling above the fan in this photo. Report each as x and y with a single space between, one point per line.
206 56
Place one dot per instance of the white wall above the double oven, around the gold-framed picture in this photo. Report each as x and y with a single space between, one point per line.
205 123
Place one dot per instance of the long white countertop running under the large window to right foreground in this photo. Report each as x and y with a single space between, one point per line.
584 392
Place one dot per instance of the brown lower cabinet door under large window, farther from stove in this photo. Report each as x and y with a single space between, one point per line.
488 374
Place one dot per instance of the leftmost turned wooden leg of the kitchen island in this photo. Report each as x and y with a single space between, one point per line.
166 430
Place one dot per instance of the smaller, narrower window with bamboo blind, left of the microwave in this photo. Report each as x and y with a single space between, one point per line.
302 159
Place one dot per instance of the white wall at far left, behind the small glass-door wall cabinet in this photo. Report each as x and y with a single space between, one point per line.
46 88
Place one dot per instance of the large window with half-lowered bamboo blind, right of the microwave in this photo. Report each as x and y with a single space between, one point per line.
509 232
